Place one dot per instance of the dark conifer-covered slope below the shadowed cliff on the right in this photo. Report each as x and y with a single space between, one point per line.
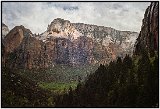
131 82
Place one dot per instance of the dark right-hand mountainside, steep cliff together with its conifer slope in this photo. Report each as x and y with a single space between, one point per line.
131 82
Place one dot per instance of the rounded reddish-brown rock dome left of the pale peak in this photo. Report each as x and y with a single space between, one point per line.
16 45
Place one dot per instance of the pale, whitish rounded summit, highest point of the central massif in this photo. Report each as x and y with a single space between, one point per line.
60 28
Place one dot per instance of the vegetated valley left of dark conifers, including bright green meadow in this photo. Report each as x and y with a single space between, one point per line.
39 87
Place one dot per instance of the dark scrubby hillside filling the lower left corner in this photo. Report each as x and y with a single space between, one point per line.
17 91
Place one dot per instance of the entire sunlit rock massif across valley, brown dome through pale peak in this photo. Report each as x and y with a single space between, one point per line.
66 43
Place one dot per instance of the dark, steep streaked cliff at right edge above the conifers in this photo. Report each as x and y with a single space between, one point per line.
148 37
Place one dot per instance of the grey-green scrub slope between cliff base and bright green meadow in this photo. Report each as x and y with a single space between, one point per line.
59 74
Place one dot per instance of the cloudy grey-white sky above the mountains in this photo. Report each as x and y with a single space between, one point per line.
125 16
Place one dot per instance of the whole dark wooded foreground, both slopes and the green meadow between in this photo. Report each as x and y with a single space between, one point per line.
128 82
